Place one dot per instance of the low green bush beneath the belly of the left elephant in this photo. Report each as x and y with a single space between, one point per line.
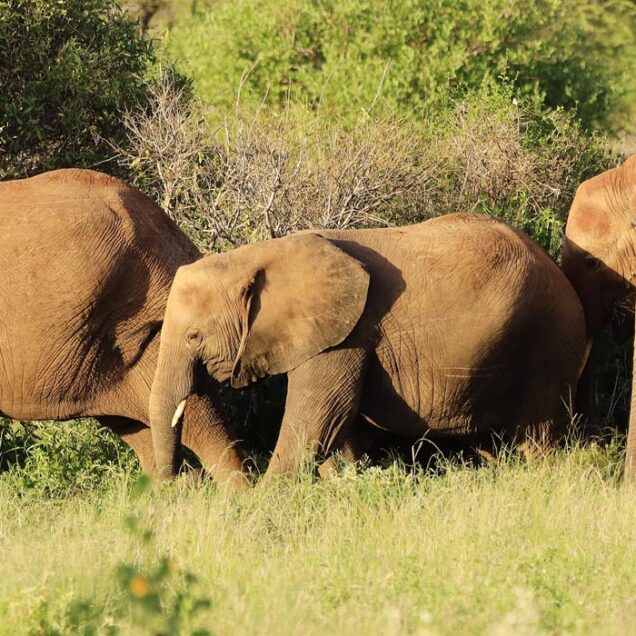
58 459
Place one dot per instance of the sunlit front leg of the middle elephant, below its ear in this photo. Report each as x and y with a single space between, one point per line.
323 396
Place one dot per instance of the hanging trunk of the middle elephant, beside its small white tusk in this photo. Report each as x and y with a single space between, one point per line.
172 384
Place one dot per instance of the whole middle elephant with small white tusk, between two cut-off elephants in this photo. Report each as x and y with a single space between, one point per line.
460 326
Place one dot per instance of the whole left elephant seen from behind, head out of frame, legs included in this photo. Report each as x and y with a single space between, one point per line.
86 266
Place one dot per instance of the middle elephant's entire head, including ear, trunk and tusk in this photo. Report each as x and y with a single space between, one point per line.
257 310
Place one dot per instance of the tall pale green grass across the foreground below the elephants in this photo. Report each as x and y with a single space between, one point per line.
510 548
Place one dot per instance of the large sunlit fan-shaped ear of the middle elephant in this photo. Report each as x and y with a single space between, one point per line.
304 296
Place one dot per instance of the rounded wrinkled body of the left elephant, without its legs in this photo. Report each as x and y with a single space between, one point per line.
87 263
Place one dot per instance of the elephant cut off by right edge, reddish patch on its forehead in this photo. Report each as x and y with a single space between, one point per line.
599 259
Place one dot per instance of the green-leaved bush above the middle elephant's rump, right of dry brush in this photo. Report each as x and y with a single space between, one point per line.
498 153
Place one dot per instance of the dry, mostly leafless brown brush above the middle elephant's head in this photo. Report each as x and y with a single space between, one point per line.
262 176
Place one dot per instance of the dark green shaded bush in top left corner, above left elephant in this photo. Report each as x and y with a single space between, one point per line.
67 70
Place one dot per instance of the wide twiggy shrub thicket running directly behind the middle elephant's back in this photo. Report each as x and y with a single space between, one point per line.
264 175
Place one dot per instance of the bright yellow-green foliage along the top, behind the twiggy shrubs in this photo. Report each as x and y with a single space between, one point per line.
341 55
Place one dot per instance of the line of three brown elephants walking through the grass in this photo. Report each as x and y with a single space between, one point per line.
458 328
